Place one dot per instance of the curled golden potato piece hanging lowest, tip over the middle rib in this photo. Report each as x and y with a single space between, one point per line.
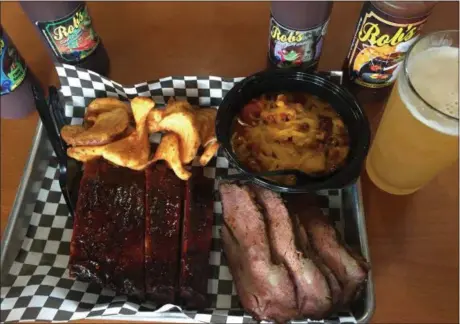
169 151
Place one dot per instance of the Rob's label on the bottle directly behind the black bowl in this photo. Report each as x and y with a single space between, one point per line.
289 47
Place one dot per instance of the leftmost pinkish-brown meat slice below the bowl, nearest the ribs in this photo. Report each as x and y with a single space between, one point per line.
264 288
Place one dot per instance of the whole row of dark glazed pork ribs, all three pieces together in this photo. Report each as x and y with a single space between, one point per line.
127 232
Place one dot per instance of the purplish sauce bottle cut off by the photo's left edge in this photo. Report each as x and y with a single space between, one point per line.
16 99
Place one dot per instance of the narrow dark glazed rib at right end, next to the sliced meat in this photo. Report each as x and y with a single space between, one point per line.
196 240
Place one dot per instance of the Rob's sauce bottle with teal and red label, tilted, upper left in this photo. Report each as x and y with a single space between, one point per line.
66 28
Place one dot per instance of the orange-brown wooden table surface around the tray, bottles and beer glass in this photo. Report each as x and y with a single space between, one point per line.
413 239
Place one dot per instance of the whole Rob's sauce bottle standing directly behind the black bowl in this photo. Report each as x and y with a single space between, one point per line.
296 35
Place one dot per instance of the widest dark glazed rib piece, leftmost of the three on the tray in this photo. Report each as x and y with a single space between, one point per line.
107 244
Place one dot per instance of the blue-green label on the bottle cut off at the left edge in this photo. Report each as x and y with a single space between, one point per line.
12 69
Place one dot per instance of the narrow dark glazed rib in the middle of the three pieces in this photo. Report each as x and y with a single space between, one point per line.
164 196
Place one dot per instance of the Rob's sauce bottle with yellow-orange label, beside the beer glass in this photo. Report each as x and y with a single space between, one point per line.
383 35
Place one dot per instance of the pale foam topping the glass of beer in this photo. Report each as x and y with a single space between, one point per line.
434 74
